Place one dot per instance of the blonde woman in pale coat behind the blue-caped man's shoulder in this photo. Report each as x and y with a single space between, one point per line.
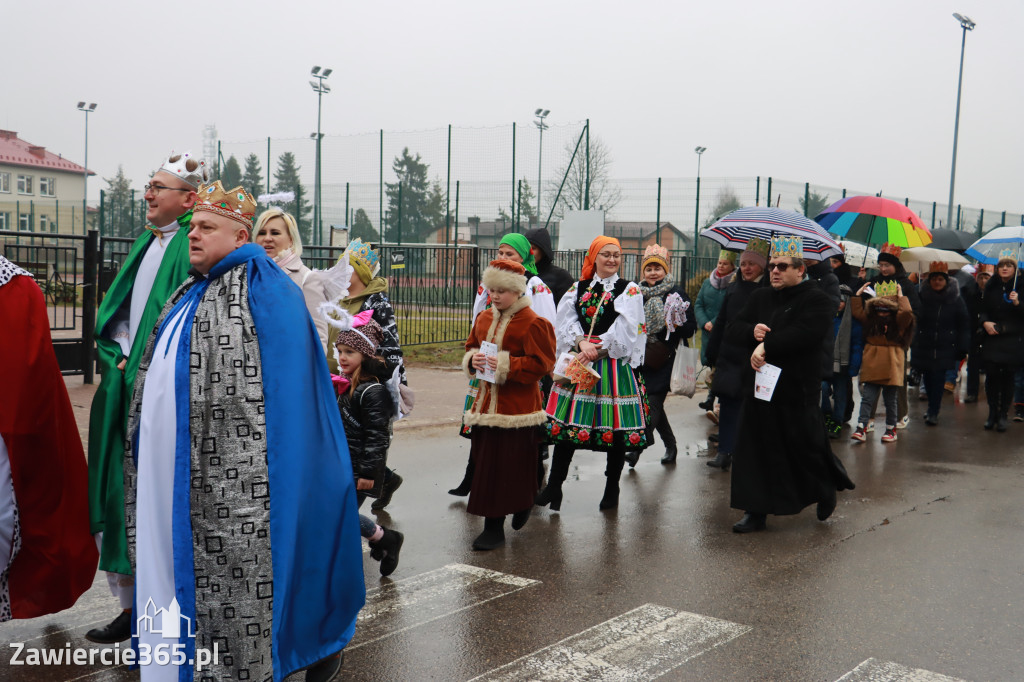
279 235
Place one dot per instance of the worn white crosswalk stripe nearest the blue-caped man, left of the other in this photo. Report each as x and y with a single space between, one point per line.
431 596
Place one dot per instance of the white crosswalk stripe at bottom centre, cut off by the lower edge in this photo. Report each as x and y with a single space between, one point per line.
643 645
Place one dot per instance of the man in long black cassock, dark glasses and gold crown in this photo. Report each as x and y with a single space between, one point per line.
783 460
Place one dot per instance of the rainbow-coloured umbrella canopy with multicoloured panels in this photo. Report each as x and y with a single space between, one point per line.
874 221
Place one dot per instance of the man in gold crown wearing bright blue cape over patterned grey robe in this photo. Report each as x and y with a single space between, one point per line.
240 502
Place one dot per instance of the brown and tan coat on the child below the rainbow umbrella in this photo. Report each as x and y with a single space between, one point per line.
884 355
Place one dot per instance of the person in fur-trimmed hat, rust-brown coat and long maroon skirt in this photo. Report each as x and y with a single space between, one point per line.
507 411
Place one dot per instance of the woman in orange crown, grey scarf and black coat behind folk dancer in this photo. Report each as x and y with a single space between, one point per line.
669 320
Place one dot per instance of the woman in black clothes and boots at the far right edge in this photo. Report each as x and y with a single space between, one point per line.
1003 349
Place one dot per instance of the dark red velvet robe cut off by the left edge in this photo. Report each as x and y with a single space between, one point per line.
58 558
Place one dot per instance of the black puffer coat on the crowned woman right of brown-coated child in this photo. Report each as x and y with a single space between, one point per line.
944 330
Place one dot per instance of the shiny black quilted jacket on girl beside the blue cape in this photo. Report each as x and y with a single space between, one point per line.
367 415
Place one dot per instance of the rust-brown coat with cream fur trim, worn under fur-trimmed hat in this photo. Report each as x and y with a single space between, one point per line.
526 353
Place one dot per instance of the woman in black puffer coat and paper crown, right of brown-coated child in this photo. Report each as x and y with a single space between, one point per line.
944 336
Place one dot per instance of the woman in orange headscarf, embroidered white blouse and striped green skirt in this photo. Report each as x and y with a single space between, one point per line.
601 319
